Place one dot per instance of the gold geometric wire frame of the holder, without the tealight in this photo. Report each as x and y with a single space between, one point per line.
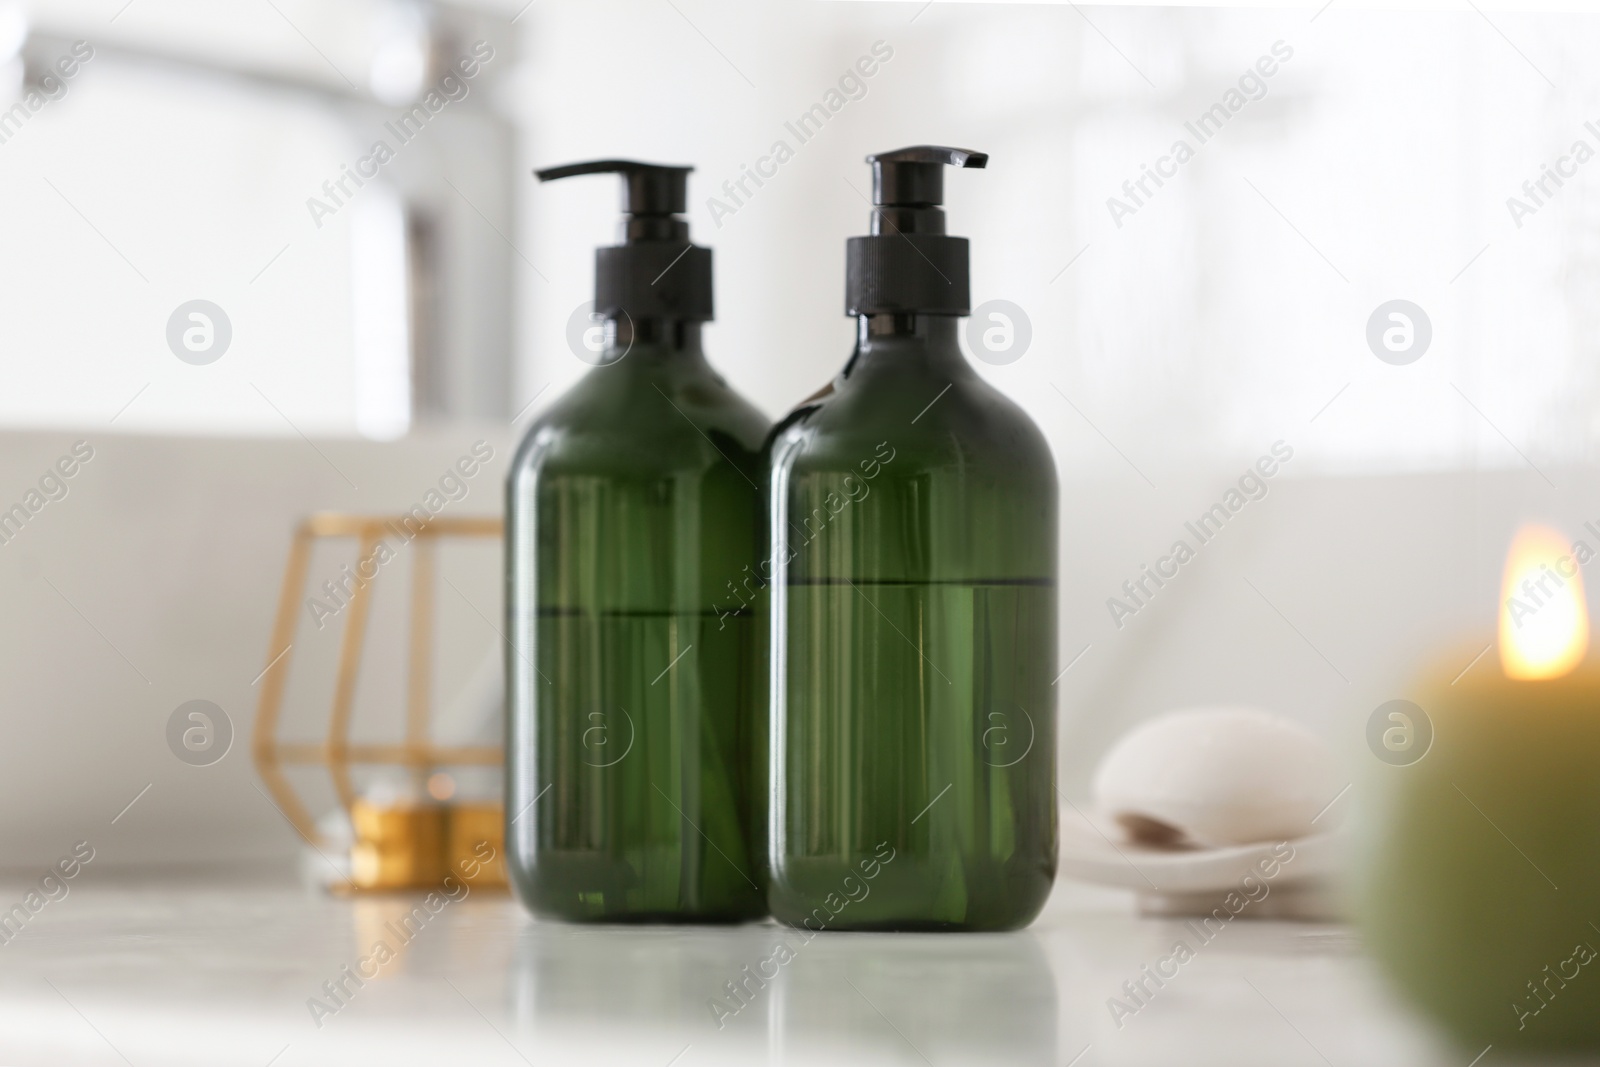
335 751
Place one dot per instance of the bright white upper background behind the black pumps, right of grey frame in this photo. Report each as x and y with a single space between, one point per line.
1375 164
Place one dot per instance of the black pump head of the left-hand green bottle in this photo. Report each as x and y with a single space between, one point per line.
655 273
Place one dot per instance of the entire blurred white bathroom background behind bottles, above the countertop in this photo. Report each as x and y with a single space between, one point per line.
1164 334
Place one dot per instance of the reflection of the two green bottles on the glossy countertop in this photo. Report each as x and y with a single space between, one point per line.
804 996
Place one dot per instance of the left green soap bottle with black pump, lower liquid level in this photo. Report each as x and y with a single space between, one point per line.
631 505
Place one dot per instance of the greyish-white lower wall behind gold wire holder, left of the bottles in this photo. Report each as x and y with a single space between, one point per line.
154 581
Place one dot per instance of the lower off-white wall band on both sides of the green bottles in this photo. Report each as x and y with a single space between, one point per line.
156 581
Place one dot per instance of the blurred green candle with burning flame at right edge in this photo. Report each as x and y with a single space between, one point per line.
1482 890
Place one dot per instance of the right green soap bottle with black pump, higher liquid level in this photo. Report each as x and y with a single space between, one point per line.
913 609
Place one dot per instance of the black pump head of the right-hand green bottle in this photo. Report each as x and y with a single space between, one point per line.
908 263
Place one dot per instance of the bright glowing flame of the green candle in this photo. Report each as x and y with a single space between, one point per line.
1545 625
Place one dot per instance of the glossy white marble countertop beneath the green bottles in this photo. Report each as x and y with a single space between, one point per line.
198 970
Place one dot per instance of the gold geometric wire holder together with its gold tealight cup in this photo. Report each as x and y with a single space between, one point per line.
412 845
